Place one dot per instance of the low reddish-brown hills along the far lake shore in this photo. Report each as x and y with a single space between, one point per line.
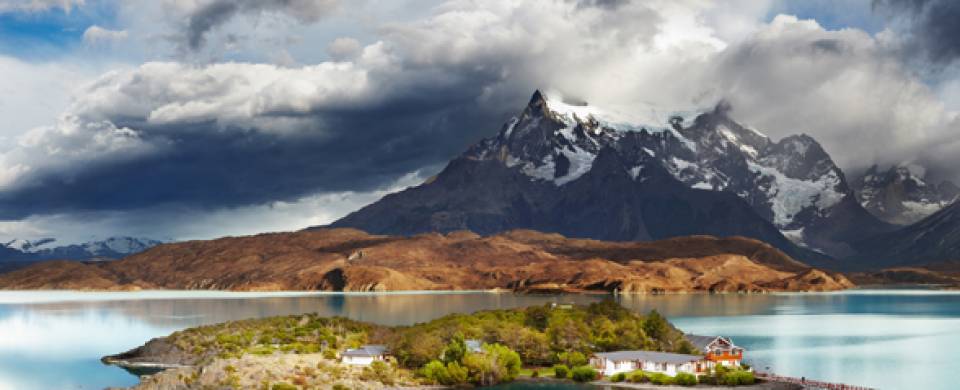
351 260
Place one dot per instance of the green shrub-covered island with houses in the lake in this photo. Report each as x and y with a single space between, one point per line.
600 341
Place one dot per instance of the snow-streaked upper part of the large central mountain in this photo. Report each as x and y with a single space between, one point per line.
793 182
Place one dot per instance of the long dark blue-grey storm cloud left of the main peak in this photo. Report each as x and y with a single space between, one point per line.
206 167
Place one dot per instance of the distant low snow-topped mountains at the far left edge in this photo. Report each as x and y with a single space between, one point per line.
18 253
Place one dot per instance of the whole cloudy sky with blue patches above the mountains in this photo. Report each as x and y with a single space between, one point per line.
193 119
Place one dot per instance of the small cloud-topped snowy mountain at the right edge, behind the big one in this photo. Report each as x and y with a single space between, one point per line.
902 194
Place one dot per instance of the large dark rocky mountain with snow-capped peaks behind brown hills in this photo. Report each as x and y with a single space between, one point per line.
585 172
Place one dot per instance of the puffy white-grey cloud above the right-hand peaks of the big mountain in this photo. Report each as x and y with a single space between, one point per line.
847 88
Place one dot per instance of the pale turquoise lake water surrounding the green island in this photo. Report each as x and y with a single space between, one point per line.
894 339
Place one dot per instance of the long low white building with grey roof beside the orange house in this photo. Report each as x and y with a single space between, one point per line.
611 363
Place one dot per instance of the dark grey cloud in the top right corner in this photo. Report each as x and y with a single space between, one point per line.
933 27
